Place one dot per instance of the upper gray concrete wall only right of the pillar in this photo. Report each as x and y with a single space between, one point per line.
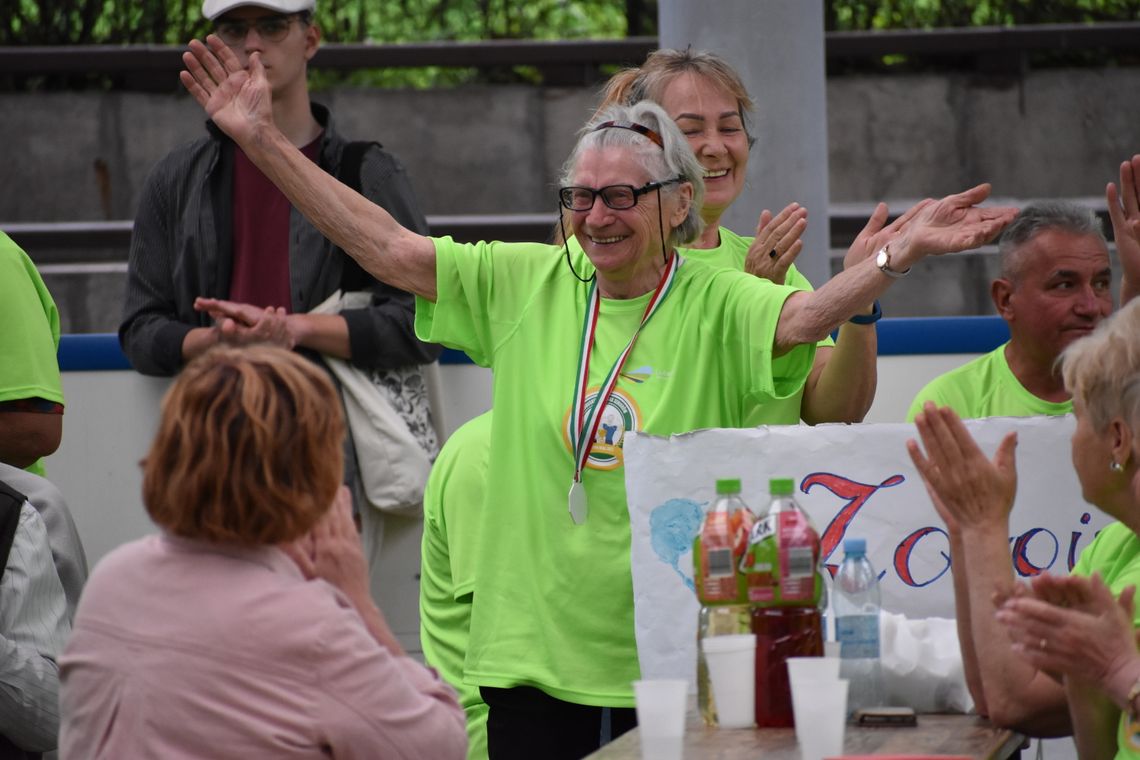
1051 134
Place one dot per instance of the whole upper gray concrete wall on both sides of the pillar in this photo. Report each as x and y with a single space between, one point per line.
498 150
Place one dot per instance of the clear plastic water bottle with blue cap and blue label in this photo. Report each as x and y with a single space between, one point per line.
857 604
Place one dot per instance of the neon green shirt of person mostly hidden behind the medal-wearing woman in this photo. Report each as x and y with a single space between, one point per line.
453 501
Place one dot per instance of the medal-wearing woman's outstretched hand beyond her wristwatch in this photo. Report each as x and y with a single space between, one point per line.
952 224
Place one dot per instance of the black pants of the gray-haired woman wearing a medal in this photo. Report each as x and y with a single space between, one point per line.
525 723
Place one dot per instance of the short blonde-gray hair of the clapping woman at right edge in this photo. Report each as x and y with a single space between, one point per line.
1103 370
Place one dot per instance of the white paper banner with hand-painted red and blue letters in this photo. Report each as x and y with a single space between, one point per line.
853 480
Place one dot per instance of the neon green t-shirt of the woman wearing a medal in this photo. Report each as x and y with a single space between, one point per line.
553 601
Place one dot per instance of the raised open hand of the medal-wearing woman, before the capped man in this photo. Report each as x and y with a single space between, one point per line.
235 99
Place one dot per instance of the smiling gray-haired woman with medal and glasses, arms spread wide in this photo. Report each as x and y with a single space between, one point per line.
552 633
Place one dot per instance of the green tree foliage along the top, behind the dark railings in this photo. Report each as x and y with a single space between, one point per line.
174 22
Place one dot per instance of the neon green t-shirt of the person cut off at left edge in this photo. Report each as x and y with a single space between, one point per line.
30 333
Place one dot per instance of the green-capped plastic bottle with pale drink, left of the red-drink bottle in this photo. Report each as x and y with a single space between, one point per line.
718 551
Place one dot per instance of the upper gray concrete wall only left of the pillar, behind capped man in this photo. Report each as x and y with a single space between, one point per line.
485 150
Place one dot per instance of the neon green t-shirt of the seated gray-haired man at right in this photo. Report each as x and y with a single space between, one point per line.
986 388
